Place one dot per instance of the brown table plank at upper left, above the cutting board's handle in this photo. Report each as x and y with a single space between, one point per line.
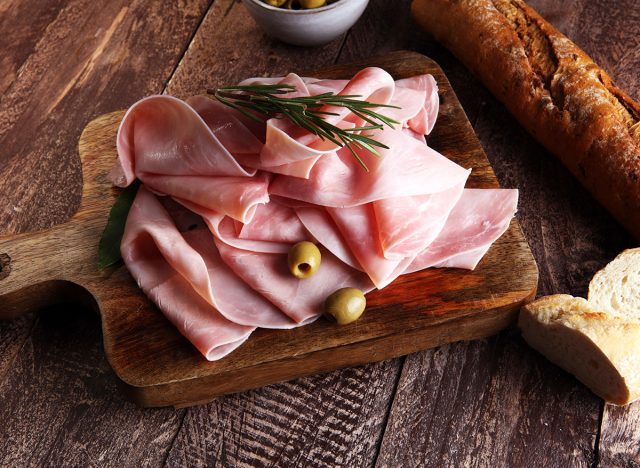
58 92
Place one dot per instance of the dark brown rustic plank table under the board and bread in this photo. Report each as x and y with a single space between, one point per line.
486 403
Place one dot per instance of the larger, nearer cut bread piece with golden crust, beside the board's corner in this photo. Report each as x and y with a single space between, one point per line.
602 351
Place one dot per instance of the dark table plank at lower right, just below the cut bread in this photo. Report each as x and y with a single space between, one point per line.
487 403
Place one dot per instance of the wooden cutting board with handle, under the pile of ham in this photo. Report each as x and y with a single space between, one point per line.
156 366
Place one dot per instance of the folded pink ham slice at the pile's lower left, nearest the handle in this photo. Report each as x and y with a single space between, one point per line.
149 239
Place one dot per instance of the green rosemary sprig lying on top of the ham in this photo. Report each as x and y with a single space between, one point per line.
260 102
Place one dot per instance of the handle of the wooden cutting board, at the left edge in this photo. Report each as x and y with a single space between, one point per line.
35 271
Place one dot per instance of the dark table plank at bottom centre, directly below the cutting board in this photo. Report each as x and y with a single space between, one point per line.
326 420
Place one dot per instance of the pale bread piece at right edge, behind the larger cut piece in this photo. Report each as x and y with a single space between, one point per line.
616 288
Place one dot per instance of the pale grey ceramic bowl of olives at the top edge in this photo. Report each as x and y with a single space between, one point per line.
311 27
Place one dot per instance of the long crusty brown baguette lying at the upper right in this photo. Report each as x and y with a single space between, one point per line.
554 89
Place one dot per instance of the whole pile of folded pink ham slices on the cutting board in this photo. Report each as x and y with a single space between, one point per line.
223 199
